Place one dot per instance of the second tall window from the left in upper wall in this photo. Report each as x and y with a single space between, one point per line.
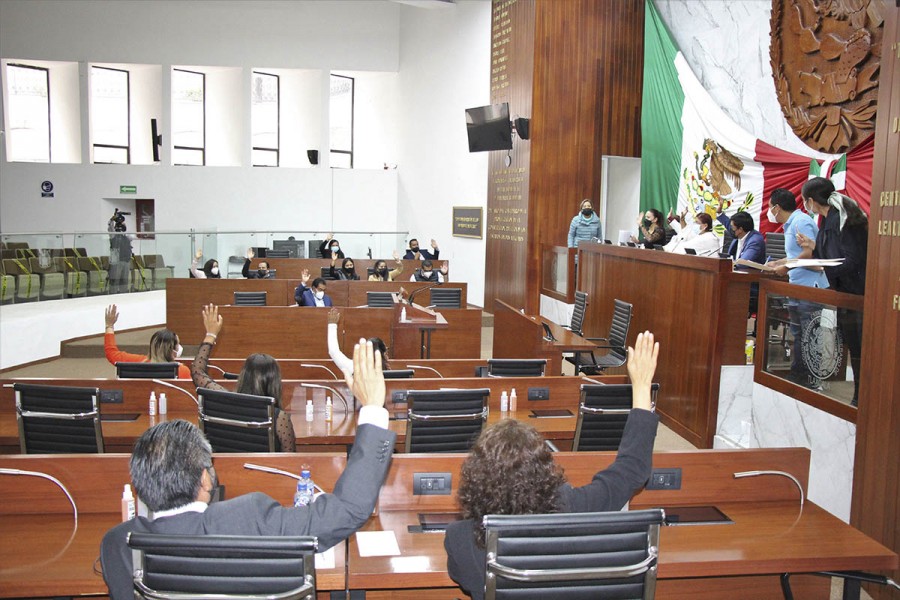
110 116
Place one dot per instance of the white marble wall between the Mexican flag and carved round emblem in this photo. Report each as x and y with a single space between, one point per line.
727 46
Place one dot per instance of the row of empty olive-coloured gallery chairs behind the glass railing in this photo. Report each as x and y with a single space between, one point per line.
46 277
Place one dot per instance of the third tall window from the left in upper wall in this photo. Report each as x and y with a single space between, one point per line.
188 117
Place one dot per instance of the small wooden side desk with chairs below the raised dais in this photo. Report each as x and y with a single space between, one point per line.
517 335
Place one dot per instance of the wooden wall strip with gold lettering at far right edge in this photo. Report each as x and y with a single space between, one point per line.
876 491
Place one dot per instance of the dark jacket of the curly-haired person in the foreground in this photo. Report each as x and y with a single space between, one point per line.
609 490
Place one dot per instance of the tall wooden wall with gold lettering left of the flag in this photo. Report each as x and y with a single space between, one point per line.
576 69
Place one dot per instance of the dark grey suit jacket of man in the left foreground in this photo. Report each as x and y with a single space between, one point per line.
331 517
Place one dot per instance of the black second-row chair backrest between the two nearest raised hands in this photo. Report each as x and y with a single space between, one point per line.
445 420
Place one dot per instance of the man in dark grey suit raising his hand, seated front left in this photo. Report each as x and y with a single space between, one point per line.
172 472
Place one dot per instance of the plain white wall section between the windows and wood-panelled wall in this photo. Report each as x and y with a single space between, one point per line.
444 69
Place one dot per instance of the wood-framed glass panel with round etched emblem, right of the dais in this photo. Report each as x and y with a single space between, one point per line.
810 340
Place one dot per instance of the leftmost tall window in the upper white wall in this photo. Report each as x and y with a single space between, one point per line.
29 113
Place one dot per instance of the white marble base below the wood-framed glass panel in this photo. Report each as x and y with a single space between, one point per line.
754 416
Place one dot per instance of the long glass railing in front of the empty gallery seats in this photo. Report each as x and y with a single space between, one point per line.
53 266
